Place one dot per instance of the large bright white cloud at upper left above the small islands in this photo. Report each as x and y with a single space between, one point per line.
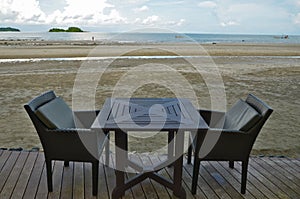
87 12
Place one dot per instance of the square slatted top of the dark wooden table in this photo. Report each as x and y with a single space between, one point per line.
147 114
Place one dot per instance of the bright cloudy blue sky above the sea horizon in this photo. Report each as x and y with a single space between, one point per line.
185 16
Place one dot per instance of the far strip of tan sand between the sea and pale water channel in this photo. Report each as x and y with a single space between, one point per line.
59 49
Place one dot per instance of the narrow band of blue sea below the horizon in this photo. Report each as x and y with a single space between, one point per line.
149 37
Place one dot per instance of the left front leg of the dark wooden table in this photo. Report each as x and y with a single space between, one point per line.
121 159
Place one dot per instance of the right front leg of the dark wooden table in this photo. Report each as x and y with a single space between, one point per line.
179 147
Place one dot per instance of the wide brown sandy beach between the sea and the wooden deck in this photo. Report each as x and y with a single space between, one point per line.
270 71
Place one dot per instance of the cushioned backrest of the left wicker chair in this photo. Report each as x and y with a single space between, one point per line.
51 110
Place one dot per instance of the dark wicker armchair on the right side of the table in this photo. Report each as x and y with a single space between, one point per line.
240 127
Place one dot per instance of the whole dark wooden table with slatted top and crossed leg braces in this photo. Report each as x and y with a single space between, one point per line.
172 115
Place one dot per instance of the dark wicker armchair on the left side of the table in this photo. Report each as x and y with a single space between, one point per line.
61 139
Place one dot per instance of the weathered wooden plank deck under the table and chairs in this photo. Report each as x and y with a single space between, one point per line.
22 175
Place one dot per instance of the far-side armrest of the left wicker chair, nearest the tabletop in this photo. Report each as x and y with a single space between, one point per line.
85 118
